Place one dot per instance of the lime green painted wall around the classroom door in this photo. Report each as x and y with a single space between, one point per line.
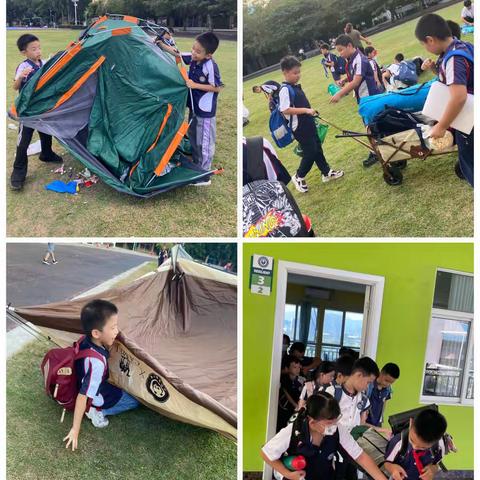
409 271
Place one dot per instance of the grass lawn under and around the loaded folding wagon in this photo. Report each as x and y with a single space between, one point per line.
431 202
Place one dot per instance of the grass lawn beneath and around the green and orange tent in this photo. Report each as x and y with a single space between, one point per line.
102 211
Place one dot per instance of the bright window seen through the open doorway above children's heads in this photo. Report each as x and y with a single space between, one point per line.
340 329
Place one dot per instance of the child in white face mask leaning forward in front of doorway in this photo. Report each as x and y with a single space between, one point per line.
318 435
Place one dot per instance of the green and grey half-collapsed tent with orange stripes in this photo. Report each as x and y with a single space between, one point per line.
117 103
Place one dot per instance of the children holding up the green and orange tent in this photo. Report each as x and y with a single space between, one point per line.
203 80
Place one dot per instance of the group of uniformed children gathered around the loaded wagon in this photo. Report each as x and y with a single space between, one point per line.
365 78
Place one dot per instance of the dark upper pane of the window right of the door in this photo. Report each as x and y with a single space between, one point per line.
453 292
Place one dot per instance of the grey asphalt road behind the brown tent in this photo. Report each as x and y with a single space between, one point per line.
30 282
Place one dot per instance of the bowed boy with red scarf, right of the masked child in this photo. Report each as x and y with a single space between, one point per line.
425 448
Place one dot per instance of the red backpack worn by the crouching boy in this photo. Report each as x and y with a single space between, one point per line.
60 378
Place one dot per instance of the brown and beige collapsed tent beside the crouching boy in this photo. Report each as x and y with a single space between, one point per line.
177 347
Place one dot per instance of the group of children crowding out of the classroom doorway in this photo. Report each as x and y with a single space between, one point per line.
317 416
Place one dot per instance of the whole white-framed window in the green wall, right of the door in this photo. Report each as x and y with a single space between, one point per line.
448 374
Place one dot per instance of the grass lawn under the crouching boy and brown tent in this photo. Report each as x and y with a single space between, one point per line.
139 444
